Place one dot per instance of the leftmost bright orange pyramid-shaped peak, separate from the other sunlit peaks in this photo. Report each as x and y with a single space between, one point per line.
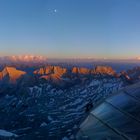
11 74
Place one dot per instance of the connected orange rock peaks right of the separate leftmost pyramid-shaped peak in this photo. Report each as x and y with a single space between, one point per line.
57 73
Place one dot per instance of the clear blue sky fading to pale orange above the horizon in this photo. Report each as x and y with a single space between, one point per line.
70 28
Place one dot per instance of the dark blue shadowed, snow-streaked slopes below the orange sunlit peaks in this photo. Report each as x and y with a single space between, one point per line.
47 112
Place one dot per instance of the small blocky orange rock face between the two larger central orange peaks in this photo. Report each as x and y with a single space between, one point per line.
77 70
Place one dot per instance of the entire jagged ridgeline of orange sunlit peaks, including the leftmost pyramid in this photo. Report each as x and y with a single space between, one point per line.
56 74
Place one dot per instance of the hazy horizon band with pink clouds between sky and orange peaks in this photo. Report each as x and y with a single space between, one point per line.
28 60
